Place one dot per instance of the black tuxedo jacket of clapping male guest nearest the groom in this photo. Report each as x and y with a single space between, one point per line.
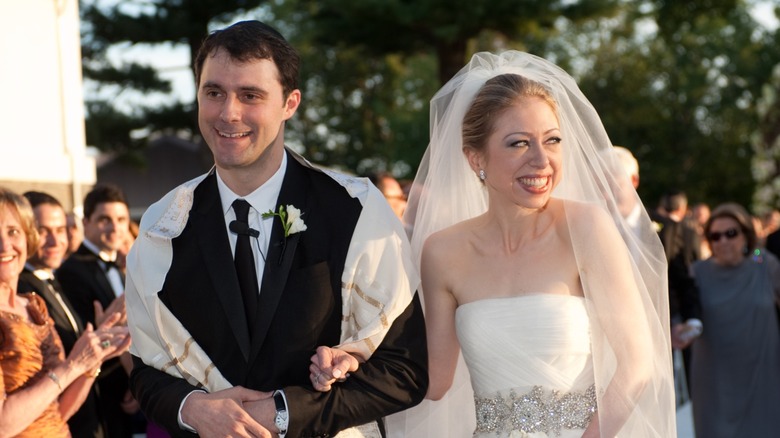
83 280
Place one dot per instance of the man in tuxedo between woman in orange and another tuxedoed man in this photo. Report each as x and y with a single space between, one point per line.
38 277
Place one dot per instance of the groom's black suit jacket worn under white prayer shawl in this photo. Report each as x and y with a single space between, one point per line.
299 310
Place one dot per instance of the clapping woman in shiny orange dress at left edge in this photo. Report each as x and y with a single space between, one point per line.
40 388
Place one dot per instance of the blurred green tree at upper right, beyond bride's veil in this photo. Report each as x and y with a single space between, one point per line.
681 94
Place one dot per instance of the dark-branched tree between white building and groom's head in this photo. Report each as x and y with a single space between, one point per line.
146 23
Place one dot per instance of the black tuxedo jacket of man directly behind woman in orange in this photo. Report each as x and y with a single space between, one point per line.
85 423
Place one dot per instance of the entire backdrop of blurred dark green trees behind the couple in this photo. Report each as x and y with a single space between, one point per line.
677 82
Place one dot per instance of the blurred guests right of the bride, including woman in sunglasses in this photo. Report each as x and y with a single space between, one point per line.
724 299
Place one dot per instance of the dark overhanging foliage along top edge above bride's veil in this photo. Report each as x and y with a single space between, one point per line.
443 28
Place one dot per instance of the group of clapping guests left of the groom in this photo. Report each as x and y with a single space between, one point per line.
64 355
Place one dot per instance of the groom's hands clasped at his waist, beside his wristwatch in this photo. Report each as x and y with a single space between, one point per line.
223 413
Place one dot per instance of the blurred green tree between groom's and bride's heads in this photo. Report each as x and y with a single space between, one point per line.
372 66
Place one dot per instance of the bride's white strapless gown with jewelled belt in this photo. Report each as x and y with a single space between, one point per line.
529 358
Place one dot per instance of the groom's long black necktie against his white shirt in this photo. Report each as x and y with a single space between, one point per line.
245 264
